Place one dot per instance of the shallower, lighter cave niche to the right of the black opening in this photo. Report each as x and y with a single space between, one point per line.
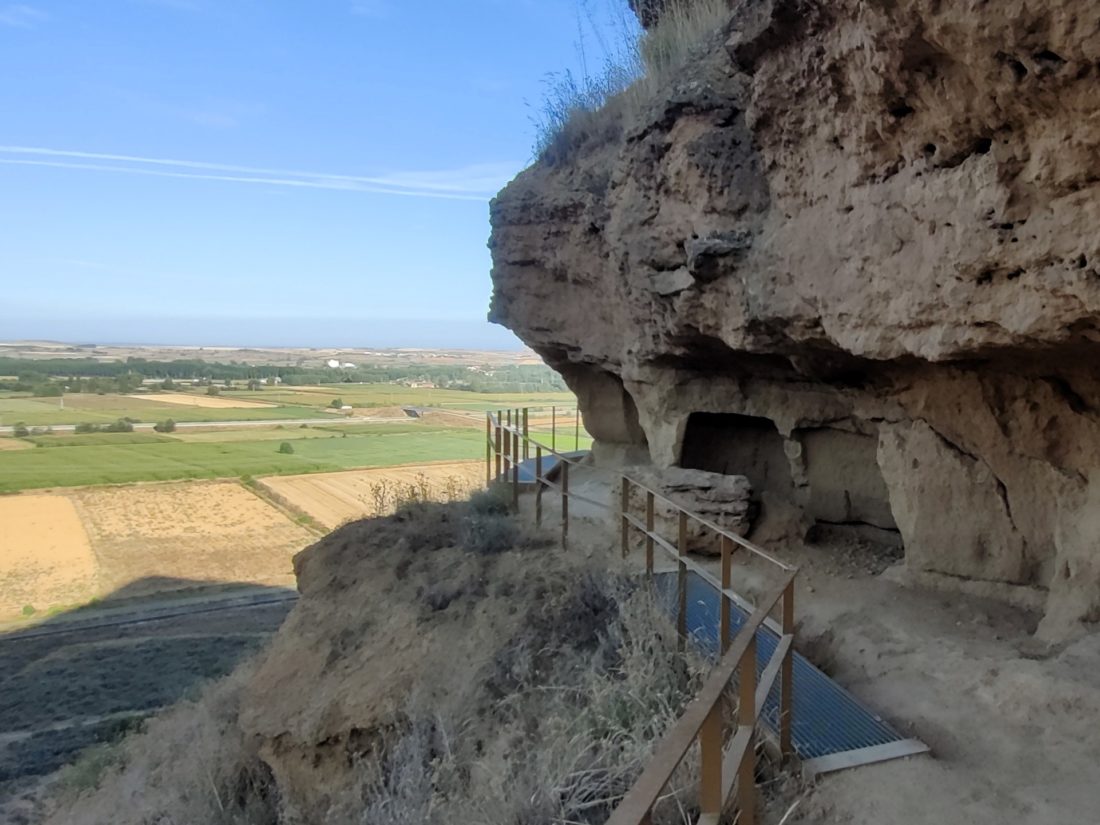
849 496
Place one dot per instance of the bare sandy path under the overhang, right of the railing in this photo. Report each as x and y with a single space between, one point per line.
1013 725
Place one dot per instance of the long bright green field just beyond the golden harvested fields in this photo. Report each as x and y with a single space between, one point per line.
116 464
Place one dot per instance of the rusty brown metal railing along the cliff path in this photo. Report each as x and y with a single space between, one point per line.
728 752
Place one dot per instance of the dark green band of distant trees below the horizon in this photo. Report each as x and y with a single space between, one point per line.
52 377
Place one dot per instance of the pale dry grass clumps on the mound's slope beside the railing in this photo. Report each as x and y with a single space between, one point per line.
577 743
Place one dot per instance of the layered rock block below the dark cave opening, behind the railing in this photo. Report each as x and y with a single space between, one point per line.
723 500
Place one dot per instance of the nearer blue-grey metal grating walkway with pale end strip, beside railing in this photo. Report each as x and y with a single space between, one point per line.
831 730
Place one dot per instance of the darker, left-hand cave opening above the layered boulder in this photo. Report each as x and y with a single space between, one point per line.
736 445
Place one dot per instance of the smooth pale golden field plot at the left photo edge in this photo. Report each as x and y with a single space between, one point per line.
46 558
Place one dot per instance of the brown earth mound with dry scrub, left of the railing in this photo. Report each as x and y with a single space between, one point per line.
559 680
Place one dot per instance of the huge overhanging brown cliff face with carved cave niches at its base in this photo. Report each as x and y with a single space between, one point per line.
851 252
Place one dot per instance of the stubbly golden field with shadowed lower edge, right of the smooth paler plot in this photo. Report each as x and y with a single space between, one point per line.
160 537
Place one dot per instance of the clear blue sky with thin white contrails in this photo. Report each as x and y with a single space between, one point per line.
263 172
